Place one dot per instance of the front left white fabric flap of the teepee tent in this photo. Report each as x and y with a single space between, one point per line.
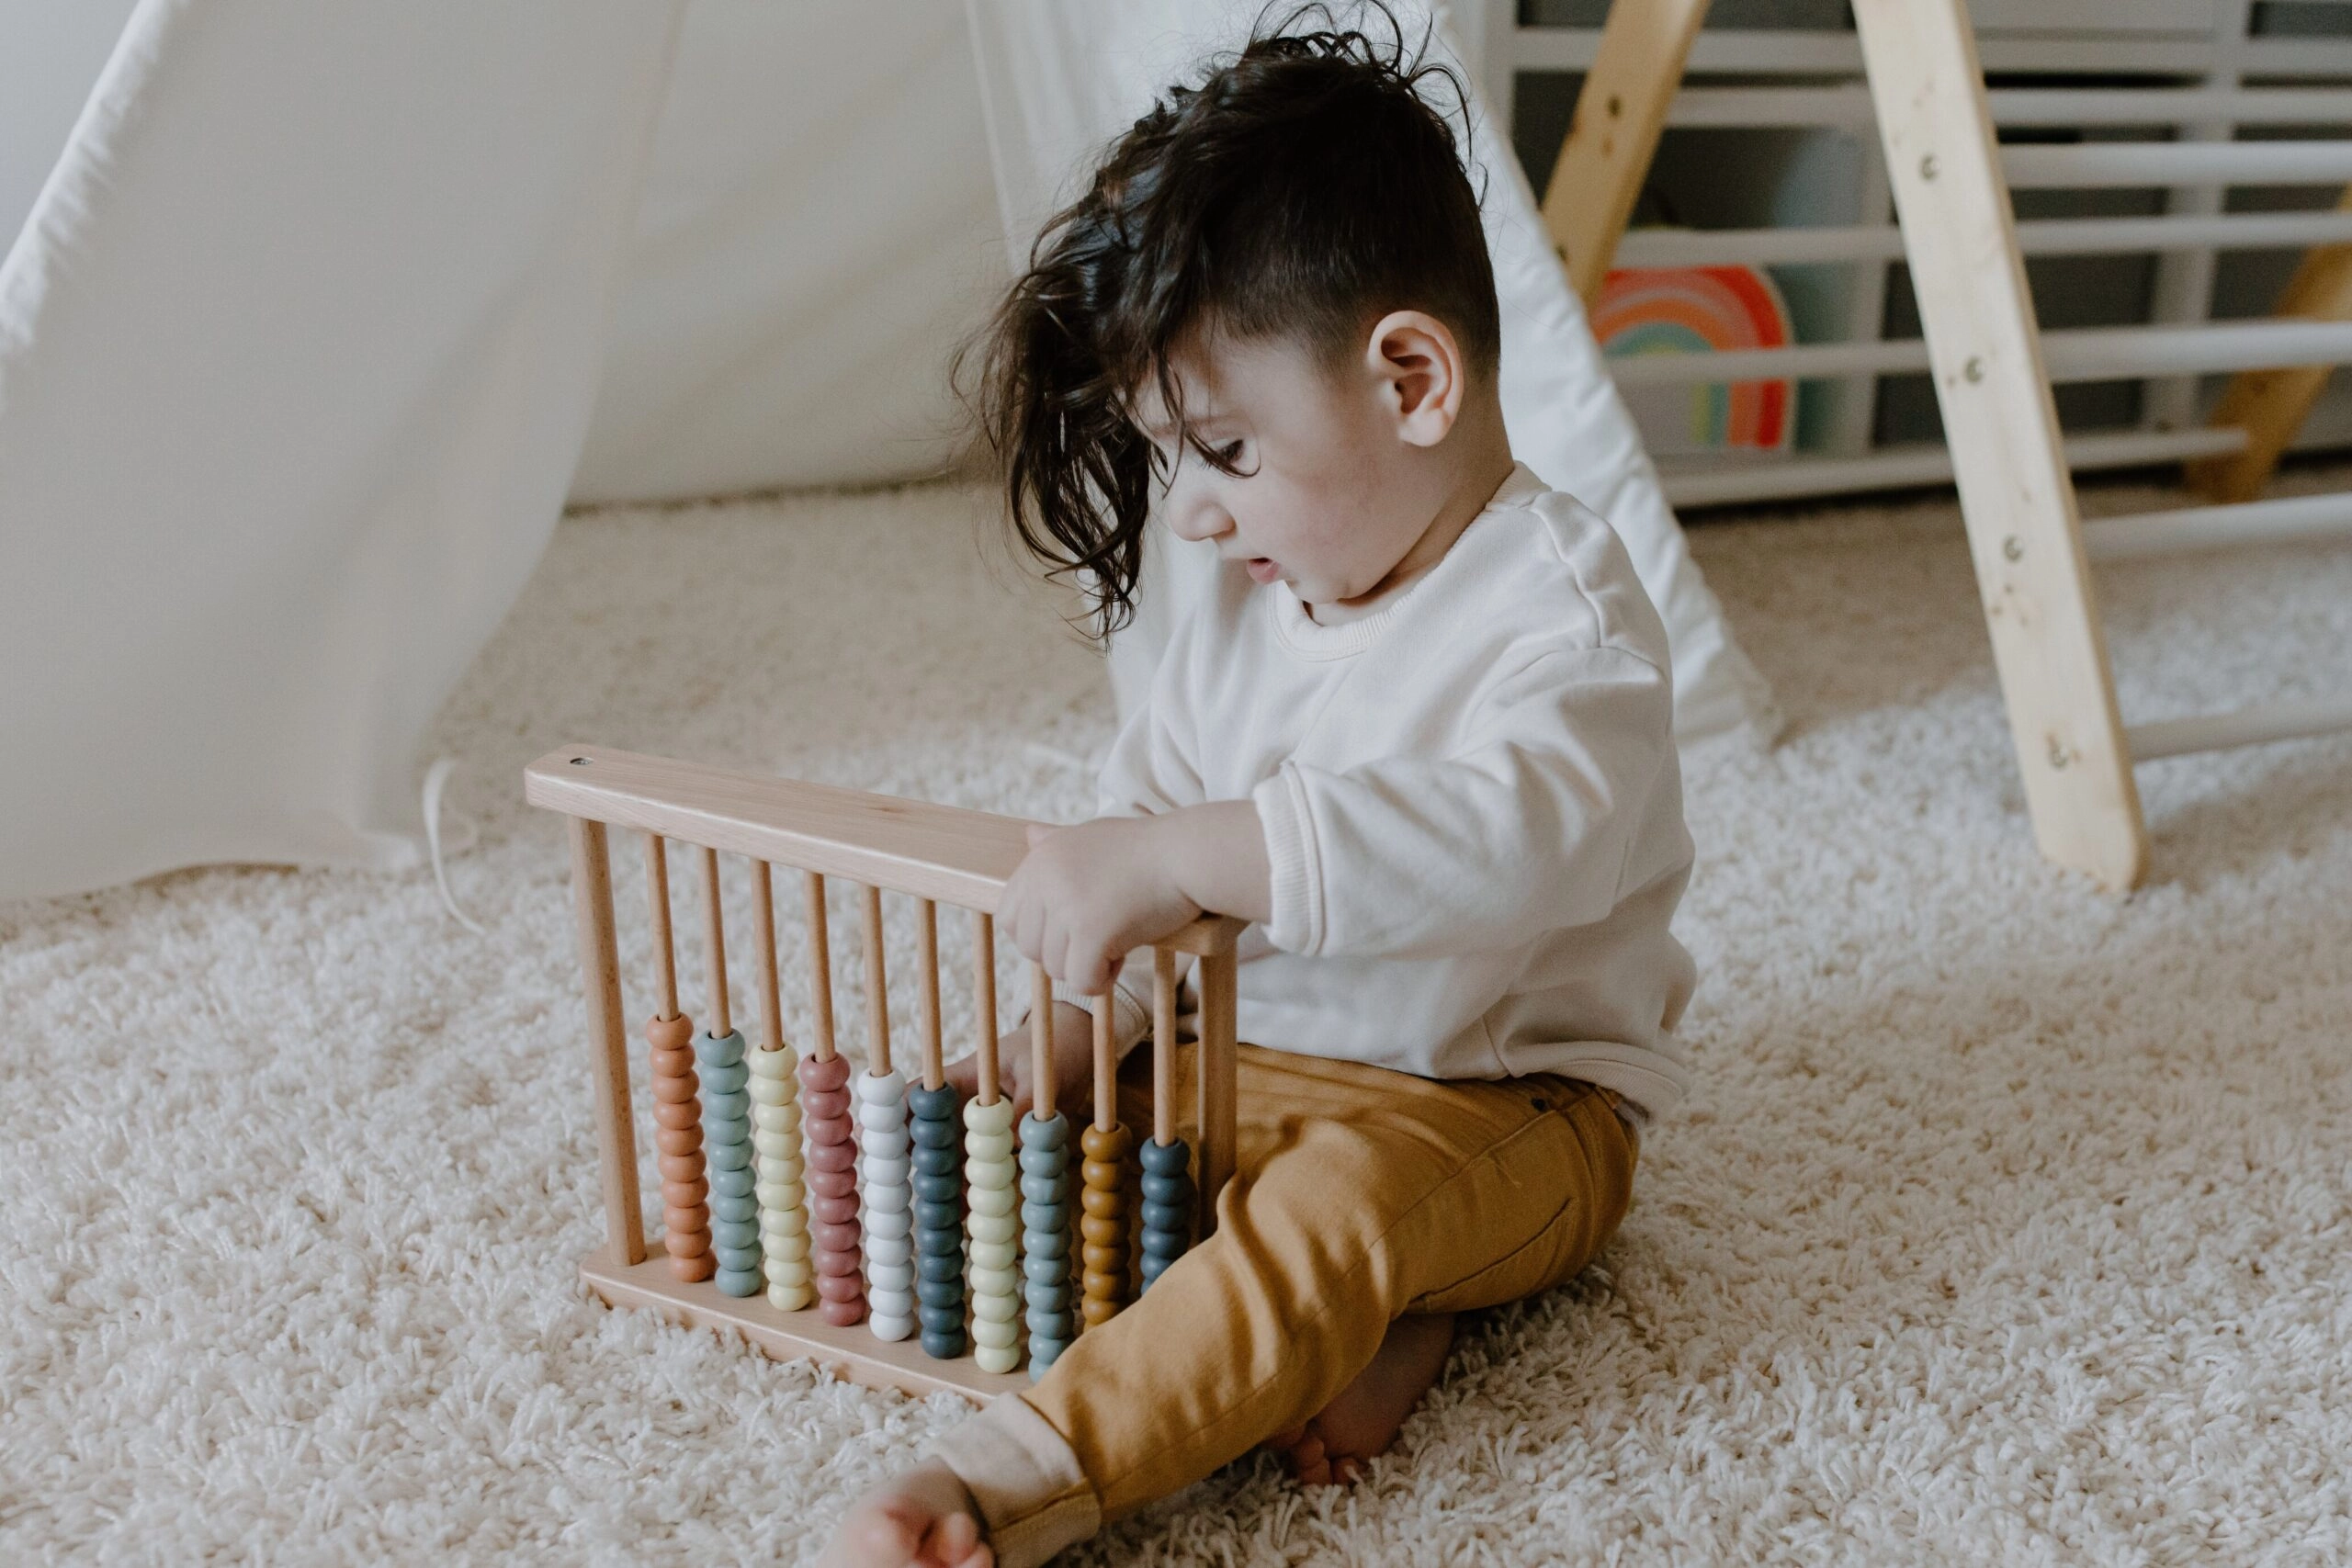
298 349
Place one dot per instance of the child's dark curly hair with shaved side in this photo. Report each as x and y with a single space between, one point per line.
1302 189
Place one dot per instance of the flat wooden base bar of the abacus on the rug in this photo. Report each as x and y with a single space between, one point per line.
853 1355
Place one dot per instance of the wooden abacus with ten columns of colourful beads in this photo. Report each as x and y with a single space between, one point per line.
820 1212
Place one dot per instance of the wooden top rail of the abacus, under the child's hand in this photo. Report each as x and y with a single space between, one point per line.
902 845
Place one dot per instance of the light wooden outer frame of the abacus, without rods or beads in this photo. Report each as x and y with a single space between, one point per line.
923 850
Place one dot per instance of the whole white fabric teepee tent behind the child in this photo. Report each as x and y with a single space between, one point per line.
321 314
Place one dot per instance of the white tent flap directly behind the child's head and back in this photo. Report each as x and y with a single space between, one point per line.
1062 79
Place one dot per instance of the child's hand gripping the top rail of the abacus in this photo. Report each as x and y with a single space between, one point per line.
1088 894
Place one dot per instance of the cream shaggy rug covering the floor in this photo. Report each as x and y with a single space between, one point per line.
2010 1221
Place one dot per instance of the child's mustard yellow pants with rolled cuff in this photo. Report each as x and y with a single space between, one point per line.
1358 1195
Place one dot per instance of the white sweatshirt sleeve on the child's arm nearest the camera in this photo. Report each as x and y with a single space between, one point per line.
1528 826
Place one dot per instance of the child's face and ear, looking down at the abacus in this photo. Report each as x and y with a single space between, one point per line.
1332 481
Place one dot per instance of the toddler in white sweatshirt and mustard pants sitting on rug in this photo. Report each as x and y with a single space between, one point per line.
1419 732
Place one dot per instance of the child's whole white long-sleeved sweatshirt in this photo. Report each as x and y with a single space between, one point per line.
1471 803
